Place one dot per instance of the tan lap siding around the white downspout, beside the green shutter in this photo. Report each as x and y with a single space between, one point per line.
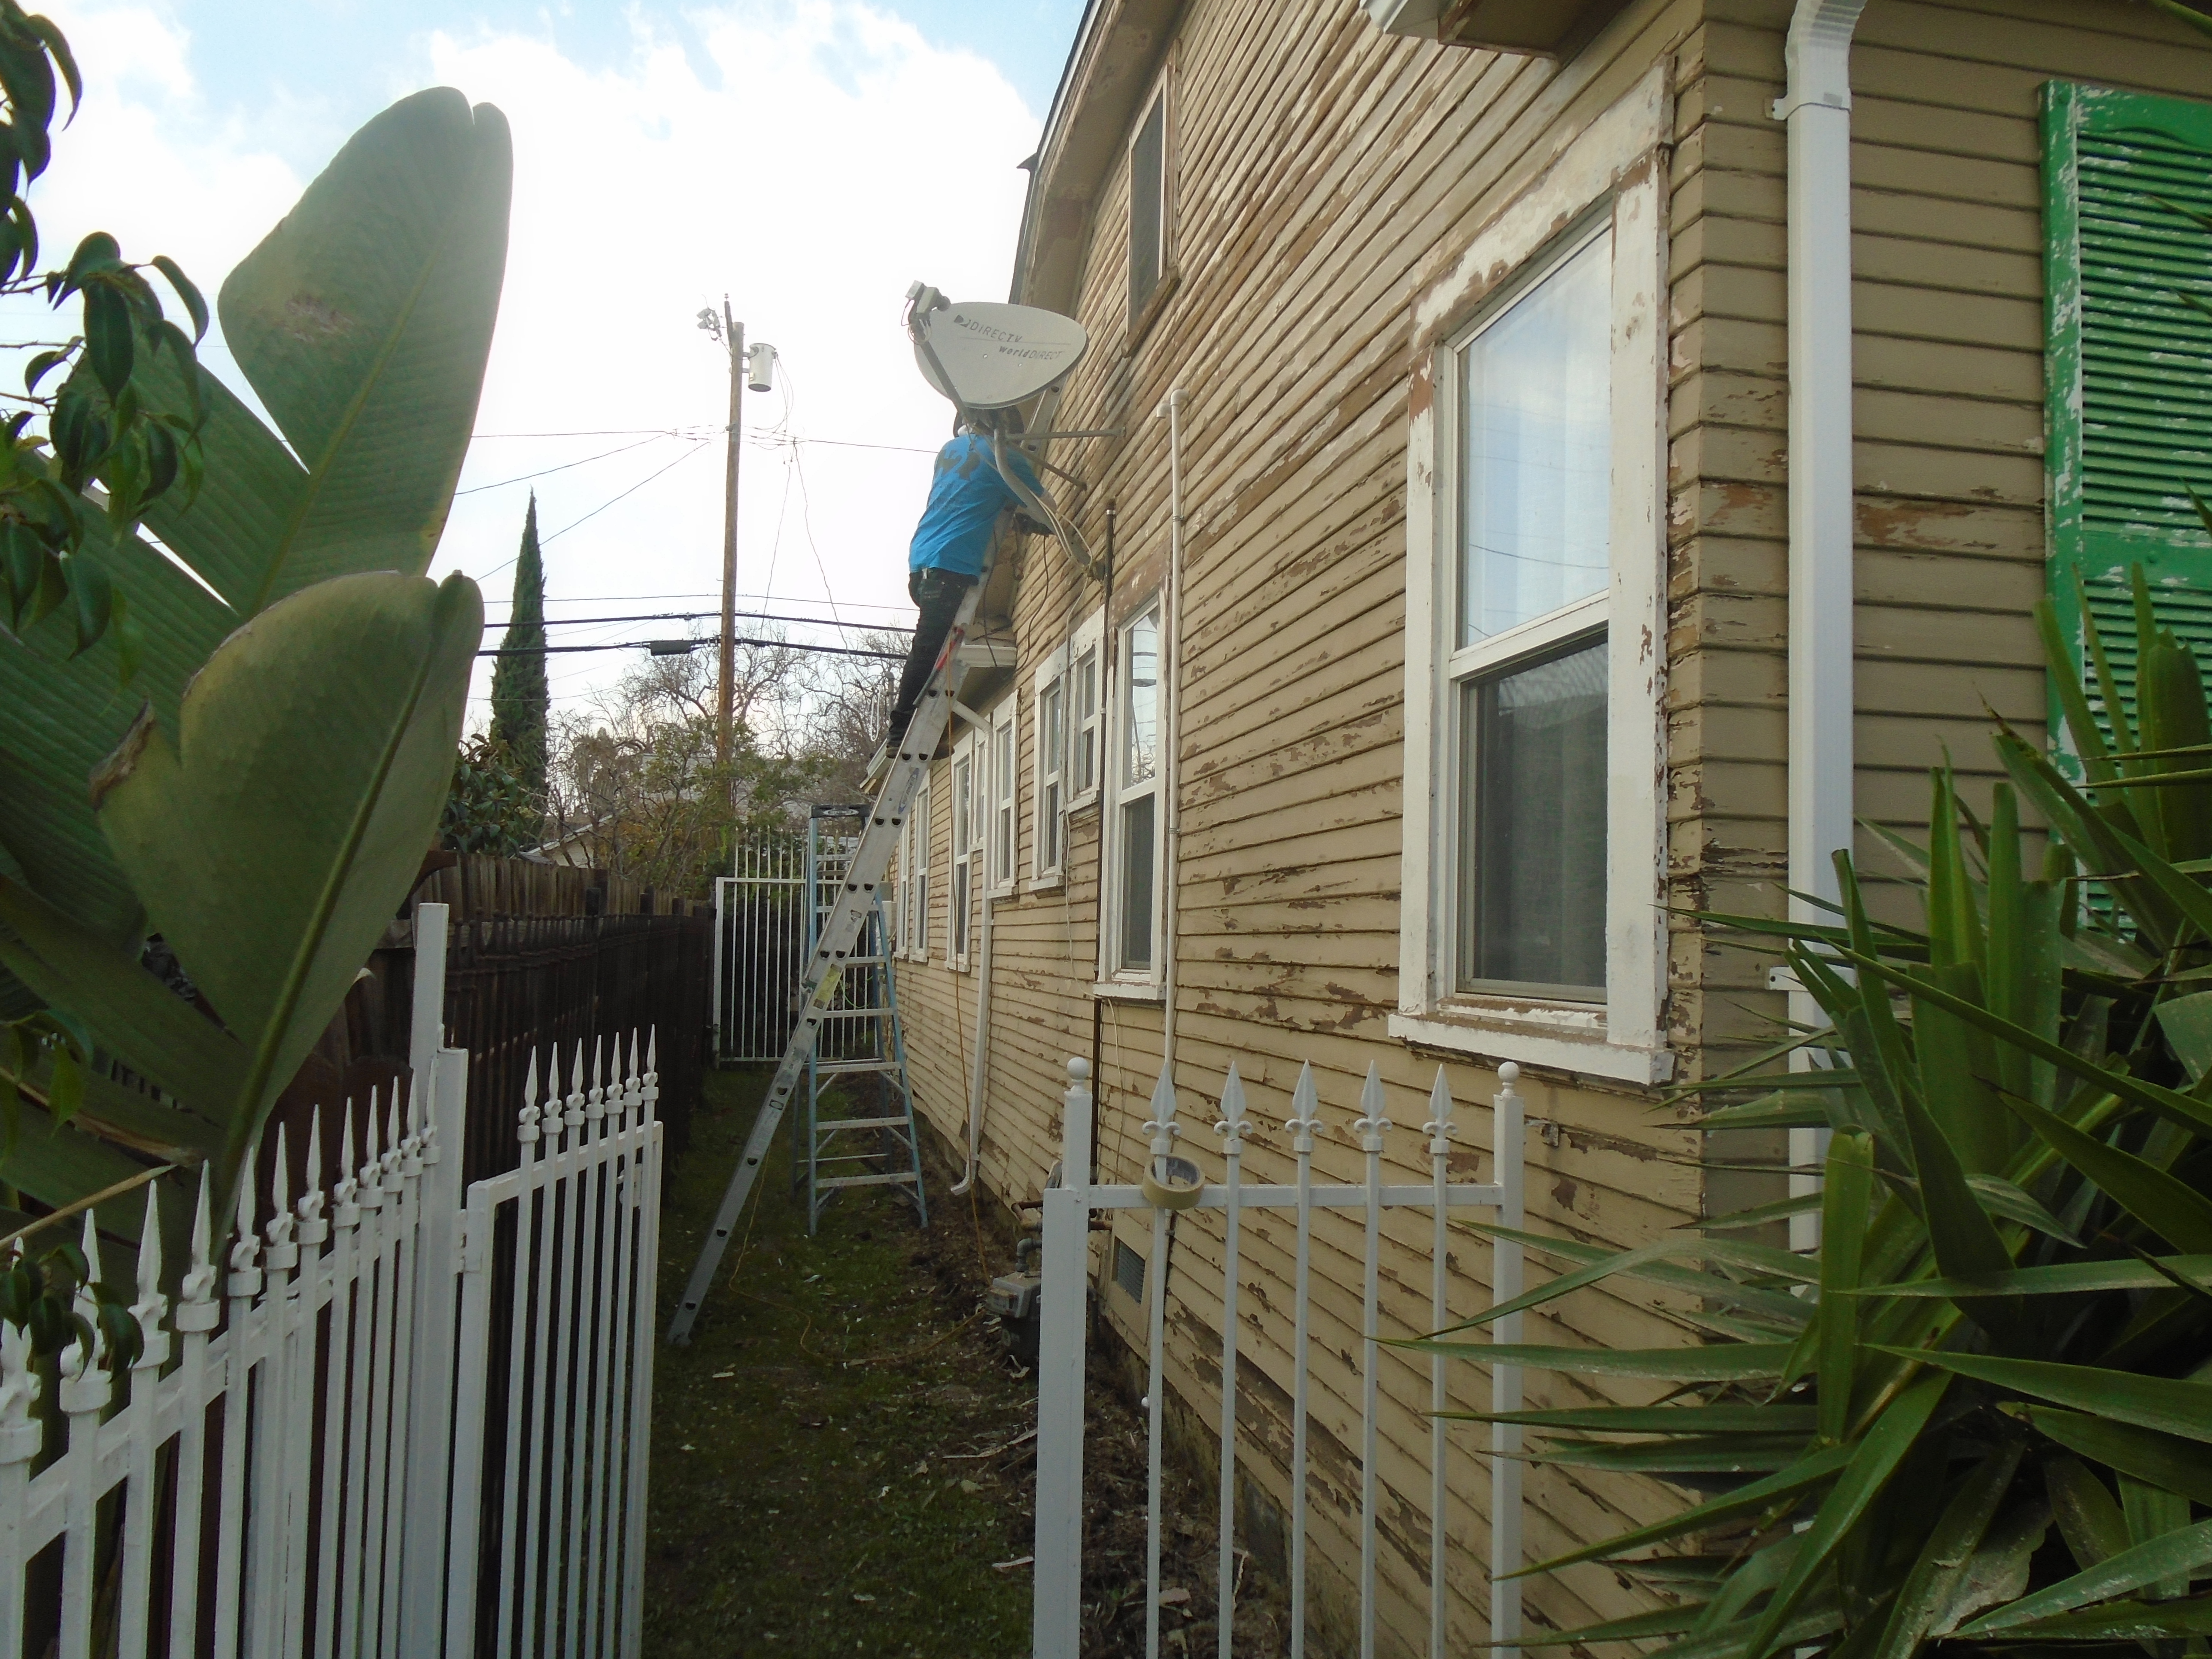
1950 386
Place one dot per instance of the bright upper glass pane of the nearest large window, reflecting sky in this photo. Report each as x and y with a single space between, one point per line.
1536 461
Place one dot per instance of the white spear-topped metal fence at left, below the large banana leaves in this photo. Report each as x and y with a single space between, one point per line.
317 1454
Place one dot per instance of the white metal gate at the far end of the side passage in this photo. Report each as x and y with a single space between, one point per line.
760 946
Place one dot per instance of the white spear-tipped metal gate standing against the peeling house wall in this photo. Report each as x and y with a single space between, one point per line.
1065 1333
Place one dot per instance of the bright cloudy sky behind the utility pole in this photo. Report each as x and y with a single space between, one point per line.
806 158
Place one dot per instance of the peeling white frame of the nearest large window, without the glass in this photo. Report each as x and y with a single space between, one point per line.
1614 171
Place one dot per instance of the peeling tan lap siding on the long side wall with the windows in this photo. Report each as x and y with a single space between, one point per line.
1324 176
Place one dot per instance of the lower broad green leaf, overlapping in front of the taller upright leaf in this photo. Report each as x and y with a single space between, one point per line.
284 828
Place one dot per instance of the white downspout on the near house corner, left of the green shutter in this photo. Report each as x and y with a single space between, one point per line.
1817 105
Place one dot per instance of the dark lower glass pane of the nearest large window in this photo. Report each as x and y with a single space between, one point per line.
1534 824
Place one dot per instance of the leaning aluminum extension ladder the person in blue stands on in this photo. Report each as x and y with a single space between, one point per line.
837 943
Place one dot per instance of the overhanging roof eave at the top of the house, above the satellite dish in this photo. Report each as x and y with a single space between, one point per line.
1118 50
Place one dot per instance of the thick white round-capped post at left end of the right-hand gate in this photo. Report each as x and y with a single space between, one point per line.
1065 1322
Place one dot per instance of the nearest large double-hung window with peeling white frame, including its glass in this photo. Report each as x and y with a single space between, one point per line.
1532 924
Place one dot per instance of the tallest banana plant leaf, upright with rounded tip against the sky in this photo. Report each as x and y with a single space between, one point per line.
364 324
